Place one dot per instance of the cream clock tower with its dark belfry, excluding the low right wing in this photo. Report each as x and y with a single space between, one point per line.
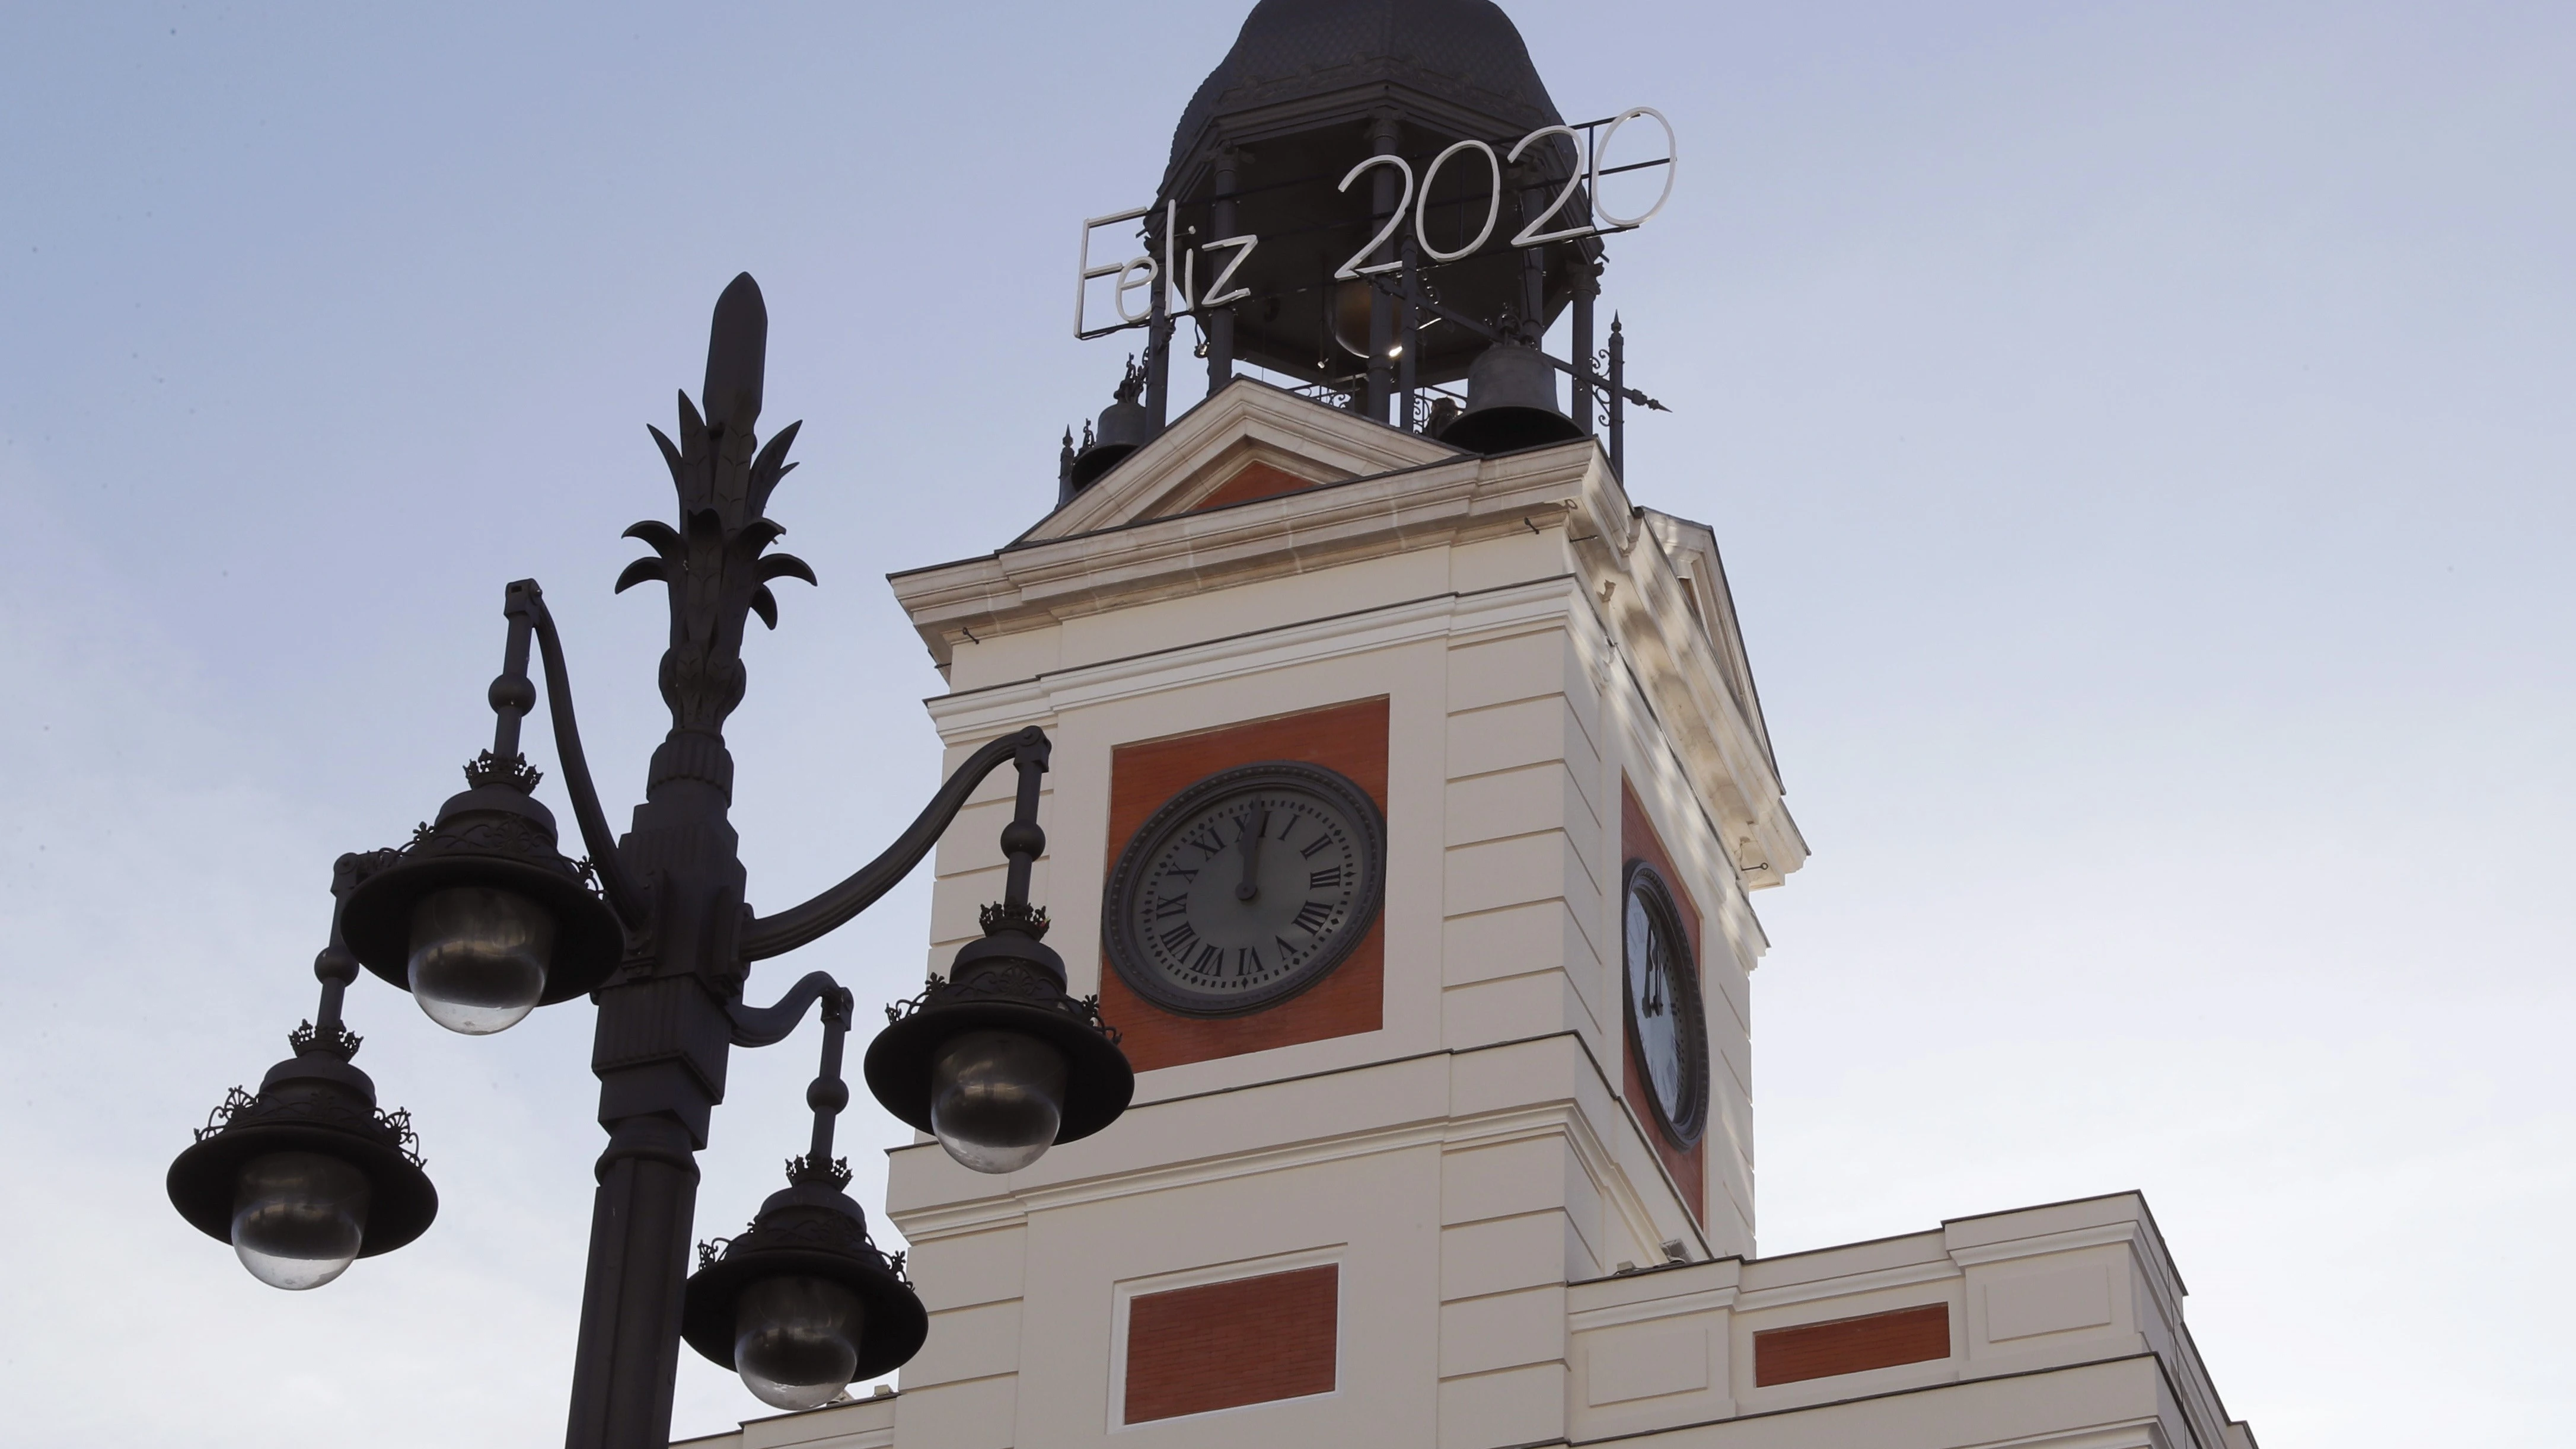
1405 812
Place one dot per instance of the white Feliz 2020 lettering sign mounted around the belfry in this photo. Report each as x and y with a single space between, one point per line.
1179 266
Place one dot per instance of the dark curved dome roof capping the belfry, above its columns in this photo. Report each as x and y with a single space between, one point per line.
1464 53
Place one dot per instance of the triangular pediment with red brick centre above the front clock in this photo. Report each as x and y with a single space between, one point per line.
1245 444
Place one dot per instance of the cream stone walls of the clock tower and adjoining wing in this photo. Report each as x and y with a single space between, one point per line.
1519 1265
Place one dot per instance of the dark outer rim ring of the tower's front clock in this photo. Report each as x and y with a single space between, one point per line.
1135 863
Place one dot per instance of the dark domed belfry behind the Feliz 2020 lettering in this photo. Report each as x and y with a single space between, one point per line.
1320 86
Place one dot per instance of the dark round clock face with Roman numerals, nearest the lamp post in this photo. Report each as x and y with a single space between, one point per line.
1245 889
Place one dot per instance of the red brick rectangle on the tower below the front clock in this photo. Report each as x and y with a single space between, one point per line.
1227 1345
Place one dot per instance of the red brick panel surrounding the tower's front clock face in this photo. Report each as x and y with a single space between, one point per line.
1142 776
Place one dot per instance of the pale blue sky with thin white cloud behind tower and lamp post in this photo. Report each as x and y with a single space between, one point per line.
2142 441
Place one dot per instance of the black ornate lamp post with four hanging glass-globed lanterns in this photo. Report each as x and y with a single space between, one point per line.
483 920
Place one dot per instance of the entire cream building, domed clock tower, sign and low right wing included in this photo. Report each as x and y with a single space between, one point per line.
1408 804
